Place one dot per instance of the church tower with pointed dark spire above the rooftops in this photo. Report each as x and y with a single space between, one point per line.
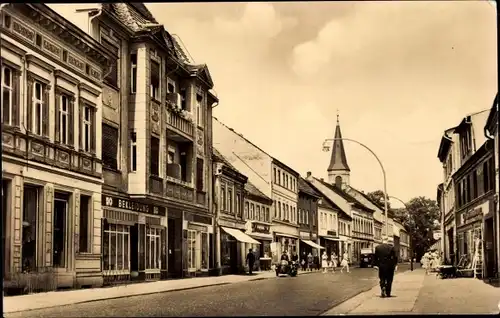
338 170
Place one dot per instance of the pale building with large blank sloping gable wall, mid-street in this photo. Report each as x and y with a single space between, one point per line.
272 177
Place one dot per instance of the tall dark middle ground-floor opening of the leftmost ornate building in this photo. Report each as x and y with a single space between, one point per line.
59 251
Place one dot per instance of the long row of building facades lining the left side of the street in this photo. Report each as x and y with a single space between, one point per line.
113 168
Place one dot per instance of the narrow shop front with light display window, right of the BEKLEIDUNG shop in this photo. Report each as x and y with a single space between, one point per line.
197 242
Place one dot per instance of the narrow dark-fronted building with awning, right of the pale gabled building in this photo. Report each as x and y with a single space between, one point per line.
307 218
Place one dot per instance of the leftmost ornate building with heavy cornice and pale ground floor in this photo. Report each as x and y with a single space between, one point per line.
52 82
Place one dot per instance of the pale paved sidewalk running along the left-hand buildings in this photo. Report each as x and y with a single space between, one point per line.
61 298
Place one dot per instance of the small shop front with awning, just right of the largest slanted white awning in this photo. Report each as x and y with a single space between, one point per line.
261 232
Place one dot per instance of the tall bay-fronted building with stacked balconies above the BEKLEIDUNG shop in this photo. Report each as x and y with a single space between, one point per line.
156 148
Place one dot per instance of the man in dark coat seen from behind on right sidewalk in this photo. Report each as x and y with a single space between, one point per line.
386 260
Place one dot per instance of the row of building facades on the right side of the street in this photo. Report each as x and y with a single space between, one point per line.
468 195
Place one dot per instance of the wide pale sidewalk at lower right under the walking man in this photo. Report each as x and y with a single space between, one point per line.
417 293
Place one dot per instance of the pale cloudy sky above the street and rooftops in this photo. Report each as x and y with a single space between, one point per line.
397 73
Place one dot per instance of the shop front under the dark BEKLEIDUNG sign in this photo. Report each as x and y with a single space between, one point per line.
133 240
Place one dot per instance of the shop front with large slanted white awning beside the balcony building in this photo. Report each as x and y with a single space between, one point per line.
234 246
